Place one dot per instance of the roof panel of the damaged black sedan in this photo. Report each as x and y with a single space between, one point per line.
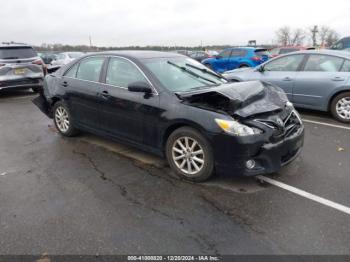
140 54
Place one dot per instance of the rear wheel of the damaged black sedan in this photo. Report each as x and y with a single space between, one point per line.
63 120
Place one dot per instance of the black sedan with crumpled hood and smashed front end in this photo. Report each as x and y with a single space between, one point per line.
173 106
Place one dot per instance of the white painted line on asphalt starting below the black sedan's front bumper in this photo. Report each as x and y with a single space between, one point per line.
305 194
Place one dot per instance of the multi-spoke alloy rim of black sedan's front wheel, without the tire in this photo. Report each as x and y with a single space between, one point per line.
188 155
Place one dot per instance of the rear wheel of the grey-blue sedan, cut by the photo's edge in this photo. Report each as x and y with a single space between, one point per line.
340 107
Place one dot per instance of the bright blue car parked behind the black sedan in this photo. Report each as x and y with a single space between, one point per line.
232 58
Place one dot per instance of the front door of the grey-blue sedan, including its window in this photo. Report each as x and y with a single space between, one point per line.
283 72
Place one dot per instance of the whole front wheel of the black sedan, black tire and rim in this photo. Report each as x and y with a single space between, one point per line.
196 164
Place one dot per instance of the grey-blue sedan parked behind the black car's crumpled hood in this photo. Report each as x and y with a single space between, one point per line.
318 80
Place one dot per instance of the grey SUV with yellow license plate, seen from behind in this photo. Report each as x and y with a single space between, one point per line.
20 67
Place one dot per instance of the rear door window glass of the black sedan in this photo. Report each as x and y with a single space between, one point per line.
90 69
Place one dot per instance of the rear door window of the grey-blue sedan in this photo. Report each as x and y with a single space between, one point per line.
323 63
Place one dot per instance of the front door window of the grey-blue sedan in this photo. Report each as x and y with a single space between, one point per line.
287 63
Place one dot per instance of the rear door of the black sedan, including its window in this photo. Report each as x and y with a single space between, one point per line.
82 88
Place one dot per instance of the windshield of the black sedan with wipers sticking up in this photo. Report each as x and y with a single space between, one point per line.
182 74
